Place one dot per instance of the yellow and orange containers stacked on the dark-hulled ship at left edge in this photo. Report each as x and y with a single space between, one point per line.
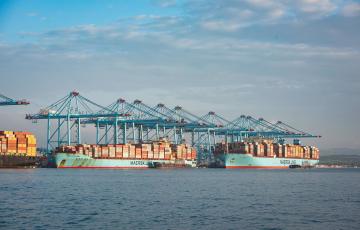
17 143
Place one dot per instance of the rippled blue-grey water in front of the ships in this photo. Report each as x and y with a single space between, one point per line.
179 199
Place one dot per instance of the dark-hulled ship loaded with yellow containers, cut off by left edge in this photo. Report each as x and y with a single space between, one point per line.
18 150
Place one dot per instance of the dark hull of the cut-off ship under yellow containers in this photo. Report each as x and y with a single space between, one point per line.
13 161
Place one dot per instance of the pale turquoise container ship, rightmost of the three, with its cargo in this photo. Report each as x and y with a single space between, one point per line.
265 154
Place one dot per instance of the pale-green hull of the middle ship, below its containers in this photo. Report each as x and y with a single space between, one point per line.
67 160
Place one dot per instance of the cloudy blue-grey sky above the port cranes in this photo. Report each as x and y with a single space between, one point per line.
295 61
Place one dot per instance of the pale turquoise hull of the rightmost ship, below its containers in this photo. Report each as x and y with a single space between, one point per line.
248 161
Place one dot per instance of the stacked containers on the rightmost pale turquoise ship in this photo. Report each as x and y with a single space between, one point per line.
269 149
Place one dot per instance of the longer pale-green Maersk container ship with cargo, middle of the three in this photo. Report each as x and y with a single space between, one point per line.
145 155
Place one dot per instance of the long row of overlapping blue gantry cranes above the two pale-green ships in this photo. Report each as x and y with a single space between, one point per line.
136 122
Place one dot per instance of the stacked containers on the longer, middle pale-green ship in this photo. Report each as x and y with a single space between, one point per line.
154 151
